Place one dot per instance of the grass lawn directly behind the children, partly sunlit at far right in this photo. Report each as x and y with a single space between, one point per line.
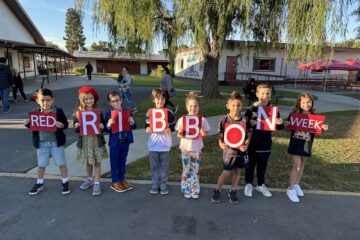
334 165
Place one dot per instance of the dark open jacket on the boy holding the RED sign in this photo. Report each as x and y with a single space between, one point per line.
60 135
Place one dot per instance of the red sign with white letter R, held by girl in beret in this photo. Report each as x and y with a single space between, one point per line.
89 123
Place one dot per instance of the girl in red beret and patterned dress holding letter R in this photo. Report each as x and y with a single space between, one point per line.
91 149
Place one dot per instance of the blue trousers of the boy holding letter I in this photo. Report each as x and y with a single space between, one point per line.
118 155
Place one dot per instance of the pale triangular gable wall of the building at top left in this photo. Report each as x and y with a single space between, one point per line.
11 28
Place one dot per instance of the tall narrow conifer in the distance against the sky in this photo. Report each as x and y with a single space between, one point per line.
74 35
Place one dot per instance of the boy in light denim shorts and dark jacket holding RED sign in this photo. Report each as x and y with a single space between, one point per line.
47 143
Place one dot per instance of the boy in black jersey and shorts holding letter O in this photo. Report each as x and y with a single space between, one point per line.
234 159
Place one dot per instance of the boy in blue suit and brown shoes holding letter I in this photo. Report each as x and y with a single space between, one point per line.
119 145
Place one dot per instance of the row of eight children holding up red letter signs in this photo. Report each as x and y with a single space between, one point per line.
254 154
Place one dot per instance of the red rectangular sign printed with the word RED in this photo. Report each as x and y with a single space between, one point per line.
40 121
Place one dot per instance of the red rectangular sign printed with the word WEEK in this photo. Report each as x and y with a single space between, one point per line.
306 122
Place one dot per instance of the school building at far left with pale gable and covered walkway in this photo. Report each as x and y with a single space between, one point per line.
24 46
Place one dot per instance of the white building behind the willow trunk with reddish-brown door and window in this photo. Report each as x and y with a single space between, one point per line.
240 60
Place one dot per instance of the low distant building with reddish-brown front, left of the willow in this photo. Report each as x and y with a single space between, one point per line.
107 62
